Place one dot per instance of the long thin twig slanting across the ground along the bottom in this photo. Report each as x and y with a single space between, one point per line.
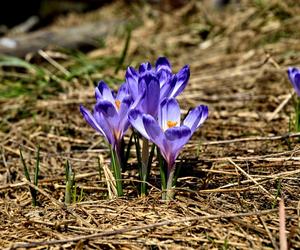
144 227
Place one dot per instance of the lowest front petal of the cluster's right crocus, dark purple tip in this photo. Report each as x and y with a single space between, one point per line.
176 138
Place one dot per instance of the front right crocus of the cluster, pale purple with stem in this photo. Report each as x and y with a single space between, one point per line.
167 132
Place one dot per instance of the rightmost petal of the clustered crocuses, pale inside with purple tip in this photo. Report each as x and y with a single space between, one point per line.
196 117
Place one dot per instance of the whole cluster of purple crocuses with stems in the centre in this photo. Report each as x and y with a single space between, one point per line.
146 102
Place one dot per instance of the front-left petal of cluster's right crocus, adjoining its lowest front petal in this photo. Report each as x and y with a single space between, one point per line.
154 131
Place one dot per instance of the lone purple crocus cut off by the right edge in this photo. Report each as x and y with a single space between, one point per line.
294 77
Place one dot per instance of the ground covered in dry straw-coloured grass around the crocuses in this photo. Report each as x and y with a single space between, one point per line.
235 169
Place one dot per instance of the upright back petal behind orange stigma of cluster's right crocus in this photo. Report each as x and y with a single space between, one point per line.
169 114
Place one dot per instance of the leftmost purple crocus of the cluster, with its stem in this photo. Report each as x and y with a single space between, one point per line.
110 119
